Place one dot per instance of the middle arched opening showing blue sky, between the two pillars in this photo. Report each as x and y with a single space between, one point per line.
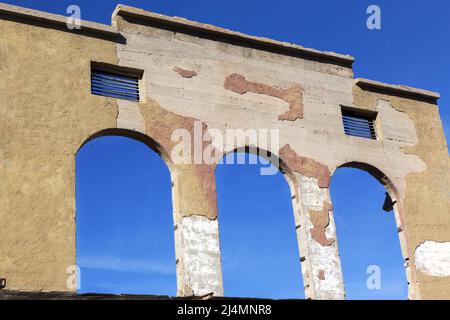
260 256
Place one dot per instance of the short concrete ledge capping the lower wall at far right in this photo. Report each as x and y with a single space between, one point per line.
398 89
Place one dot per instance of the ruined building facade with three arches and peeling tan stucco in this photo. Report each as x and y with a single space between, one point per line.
189 71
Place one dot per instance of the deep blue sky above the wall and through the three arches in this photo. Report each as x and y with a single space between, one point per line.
120 243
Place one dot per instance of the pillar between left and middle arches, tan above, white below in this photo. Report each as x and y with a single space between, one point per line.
197 247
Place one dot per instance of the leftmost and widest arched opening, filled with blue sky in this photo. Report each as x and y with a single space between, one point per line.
124 219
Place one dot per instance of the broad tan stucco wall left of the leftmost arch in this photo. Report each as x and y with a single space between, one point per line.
46 113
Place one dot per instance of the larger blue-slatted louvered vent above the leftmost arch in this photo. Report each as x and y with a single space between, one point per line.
114 85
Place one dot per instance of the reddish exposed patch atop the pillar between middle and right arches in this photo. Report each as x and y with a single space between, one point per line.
306 166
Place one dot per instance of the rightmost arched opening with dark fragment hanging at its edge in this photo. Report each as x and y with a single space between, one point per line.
369 246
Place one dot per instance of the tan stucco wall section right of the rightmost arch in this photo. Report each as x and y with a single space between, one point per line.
426 204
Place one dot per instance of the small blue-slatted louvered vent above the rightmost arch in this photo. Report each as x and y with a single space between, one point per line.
359 125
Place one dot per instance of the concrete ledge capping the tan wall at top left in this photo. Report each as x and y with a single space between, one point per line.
55 19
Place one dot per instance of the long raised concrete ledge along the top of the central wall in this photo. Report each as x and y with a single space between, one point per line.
128 11
